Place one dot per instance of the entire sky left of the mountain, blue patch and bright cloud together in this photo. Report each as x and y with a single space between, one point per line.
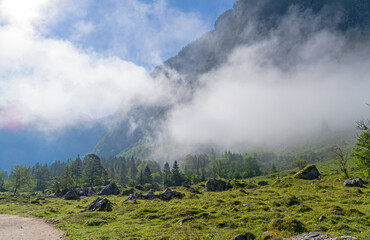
63 61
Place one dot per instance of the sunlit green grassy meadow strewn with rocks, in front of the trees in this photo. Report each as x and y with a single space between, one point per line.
213 215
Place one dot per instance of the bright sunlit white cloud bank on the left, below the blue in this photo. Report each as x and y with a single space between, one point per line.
50 83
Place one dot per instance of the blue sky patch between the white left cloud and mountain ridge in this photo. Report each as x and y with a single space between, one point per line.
145 32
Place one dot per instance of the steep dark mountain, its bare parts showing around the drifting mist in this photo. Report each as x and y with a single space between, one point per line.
249 22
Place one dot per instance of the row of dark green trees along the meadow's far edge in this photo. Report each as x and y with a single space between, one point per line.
95 171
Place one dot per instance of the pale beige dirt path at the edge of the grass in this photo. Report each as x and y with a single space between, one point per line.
15 227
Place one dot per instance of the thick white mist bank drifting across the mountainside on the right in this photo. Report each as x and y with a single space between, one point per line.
288 88
